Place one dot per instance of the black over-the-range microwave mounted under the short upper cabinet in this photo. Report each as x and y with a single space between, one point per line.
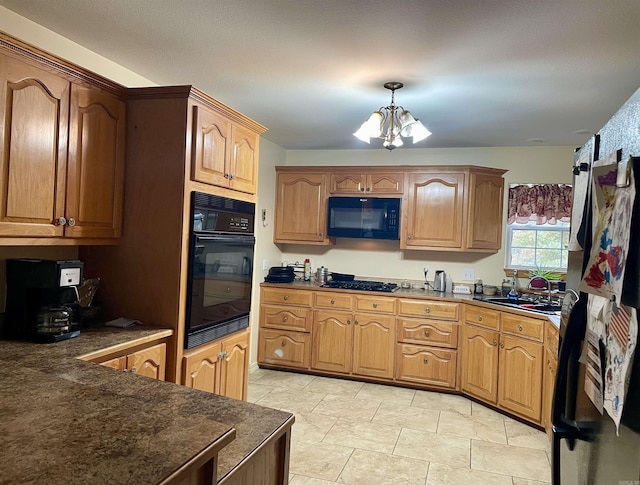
364 217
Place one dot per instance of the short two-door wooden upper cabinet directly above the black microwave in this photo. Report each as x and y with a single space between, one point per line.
357 183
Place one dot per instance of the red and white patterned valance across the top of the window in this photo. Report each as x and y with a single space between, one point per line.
542 203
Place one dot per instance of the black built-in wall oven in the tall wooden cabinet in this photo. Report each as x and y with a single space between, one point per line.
220 267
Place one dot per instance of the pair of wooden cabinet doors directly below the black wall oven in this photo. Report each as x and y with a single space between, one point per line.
220 367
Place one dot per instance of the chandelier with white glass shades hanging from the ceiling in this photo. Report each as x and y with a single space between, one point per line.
399 124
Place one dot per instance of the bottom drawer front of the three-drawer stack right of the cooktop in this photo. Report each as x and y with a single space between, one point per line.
424 365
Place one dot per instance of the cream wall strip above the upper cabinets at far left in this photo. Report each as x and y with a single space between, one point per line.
47 40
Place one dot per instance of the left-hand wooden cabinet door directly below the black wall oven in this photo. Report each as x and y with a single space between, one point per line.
200 368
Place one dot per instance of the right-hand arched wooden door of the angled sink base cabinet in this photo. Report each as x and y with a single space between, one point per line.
520 379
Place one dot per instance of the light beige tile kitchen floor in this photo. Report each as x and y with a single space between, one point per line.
358 433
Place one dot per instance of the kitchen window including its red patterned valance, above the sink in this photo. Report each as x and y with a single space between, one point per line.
538 223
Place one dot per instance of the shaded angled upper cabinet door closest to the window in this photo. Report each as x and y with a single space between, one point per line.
484 220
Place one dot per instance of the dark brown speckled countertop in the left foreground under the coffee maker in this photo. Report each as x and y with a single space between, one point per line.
67 421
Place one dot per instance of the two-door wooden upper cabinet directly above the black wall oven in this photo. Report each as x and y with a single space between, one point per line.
224 154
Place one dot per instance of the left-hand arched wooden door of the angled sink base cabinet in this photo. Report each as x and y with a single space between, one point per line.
480 363
